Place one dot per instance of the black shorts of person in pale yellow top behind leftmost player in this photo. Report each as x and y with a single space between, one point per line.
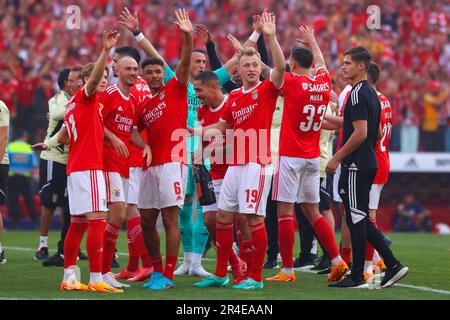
52 184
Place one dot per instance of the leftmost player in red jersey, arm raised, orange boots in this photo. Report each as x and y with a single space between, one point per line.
85 182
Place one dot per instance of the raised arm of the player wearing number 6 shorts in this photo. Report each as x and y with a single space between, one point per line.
185 26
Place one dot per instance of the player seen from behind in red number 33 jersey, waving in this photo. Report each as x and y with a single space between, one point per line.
298 178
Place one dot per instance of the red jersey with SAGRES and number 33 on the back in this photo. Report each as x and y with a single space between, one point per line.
305 103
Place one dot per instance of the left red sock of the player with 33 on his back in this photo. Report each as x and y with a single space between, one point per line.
286 239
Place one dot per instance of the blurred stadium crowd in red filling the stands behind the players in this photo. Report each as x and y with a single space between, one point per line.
411 47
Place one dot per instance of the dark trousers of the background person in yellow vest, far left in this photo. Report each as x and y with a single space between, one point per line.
20 185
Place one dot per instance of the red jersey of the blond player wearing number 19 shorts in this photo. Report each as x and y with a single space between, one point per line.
250 113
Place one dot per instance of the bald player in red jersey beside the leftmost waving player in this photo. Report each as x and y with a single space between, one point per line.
119 117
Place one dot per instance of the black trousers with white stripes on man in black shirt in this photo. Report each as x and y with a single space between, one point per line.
354 189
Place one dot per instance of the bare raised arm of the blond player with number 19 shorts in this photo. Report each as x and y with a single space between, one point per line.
269 29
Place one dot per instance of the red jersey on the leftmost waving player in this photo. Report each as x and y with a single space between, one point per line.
84 123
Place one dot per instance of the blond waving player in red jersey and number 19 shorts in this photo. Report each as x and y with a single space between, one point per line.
249 112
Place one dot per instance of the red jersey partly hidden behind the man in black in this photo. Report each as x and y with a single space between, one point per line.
382 146
